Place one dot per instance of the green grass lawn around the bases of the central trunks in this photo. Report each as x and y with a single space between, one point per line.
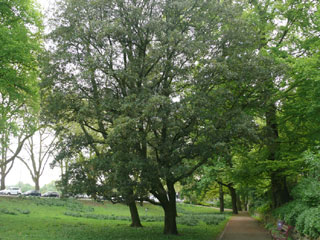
46 219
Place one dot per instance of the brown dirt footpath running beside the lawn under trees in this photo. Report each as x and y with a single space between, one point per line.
244 227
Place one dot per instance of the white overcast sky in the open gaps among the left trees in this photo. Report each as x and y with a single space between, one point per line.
19 172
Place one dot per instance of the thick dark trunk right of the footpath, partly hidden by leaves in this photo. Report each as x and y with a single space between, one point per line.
279 190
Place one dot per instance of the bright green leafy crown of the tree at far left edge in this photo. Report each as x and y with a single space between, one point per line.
19 44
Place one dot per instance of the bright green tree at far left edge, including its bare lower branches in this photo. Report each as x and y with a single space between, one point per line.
20 33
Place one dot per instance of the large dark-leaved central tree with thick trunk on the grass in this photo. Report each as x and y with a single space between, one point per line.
153 86
